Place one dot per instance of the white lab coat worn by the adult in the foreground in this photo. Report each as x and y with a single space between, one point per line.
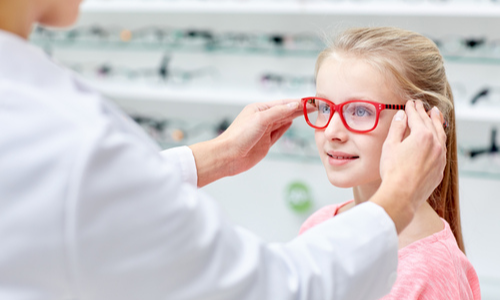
89 209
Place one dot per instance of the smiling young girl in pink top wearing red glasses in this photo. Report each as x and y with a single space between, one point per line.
362 80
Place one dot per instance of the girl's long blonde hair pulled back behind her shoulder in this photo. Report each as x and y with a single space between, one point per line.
415 65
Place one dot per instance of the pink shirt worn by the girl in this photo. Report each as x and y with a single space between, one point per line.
432 268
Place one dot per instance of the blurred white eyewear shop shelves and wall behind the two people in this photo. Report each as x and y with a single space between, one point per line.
184 69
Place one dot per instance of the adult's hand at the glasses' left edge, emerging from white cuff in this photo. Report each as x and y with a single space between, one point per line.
246 142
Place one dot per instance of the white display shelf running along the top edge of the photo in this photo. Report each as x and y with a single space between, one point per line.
373 8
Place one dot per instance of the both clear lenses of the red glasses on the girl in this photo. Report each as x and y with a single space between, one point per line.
357 115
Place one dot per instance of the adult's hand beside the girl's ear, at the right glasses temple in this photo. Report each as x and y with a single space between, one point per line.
412 167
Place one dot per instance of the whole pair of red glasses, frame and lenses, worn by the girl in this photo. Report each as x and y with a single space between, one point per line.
358 116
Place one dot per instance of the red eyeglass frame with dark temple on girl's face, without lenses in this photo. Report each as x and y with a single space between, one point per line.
338 108
